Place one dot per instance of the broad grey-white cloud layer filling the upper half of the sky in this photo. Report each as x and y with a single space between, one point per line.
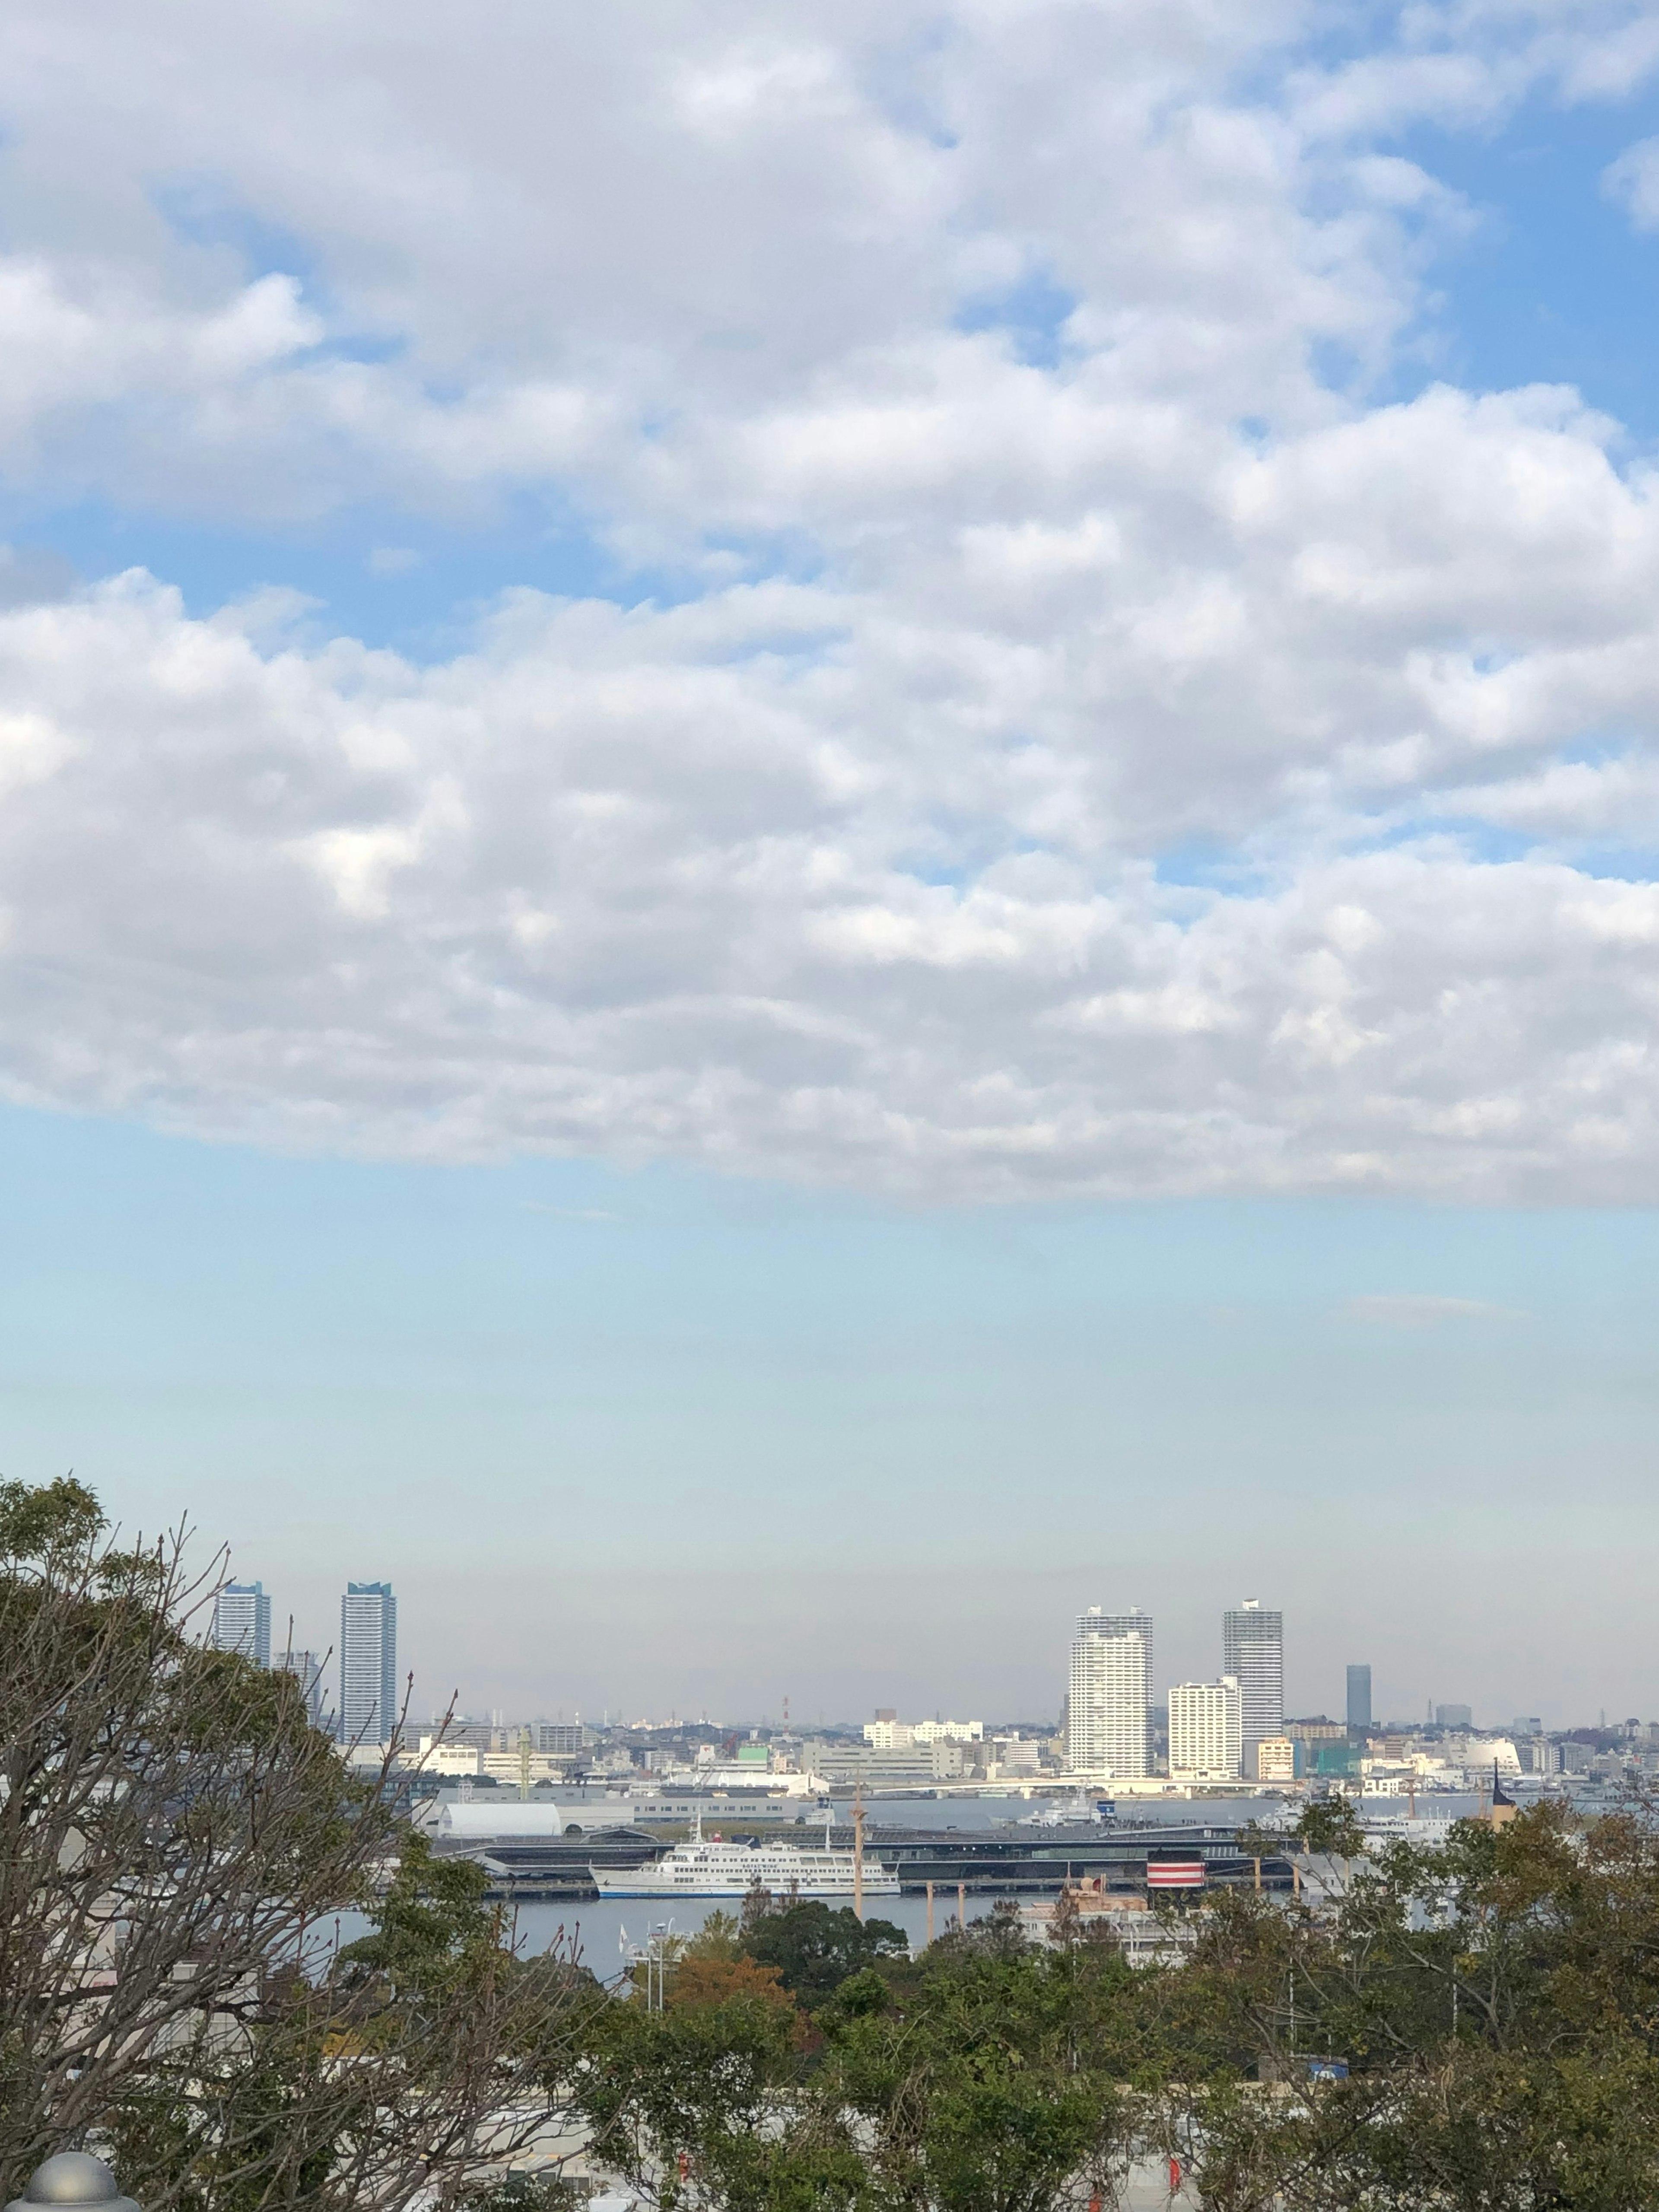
1089 744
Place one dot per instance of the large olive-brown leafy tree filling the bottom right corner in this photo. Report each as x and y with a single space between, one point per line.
1496 2003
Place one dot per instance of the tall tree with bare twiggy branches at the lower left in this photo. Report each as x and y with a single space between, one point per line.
176 1850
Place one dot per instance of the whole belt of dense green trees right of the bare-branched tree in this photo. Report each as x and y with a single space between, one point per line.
1496 2005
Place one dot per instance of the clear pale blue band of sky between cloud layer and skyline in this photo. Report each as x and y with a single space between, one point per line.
603 1428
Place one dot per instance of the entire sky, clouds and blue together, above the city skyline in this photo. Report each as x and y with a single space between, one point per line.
822 835
